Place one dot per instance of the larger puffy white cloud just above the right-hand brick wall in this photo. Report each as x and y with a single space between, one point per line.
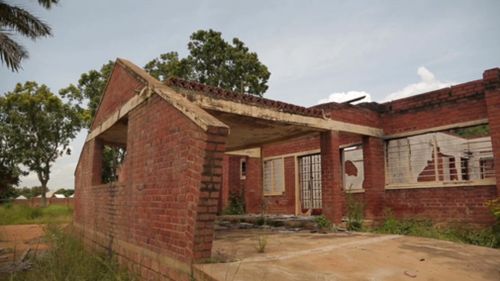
428 83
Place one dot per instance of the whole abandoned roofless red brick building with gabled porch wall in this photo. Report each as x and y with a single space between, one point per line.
189 146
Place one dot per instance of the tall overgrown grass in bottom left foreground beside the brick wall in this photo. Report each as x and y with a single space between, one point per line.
67 259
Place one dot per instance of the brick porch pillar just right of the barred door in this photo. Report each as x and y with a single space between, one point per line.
332 193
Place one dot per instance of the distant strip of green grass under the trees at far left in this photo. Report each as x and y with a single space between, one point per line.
20 214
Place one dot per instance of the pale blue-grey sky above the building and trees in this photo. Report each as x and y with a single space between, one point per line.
316 51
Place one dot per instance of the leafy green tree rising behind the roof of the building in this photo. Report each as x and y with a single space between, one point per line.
215 62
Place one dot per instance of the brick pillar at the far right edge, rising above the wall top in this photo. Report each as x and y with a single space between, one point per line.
491 81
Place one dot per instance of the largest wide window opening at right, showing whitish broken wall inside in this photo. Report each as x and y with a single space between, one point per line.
463 156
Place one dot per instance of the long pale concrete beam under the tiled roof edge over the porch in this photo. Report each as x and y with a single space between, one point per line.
283 117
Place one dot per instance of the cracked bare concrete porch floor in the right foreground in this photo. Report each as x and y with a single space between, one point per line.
345 256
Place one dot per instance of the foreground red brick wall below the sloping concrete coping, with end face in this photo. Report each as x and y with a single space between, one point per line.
169 201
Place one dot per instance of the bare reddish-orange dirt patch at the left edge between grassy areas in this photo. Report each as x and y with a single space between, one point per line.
15 240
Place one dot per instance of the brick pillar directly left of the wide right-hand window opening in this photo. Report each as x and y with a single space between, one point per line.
374 183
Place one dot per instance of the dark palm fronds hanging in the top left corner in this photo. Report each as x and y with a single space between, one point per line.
14 19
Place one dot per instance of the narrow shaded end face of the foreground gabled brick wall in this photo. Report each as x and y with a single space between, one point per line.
211 182
